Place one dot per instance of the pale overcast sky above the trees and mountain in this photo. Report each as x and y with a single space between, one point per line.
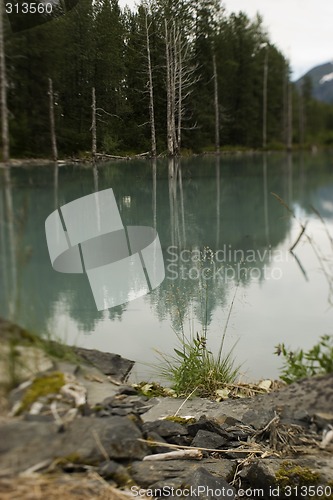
301 29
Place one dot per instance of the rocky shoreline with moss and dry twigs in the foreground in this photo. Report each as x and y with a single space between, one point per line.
74 419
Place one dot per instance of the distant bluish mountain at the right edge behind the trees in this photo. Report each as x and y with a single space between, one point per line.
322 82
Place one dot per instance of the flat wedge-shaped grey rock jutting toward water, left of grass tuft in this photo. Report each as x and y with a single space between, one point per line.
109 364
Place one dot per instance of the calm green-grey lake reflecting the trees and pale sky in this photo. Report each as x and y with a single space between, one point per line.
225 240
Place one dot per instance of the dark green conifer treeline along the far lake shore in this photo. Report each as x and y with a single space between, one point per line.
181 73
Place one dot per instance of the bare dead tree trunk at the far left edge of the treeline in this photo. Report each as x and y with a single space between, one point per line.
3 93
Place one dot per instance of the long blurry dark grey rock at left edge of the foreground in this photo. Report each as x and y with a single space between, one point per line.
24 444
